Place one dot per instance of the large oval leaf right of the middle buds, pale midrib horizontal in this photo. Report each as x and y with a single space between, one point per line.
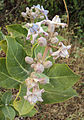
61 77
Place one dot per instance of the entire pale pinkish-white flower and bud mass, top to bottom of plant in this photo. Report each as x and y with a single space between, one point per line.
49 40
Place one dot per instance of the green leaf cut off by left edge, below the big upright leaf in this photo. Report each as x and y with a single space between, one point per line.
6 81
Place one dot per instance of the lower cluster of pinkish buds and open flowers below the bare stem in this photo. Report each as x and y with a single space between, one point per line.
33 92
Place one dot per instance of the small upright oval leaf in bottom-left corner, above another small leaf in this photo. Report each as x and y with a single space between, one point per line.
6 98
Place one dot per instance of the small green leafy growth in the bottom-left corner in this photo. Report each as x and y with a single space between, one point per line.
7 112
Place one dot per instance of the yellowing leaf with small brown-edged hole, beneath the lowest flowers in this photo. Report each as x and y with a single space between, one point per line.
22 106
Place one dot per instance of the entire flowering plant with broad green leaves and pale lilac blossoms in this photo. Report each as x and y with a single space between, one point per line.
29 65
